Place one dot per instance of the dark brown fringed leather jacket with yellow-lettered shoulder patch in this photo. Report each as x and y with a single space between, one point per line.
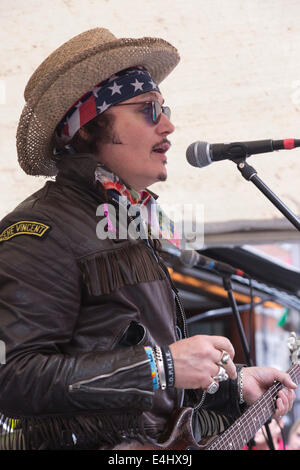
75 315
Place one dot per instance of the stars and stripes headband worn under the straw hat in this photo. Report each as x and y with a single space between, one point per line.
119 87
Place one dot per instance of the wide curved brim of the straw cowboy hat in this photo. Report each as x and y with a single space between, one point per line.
47 106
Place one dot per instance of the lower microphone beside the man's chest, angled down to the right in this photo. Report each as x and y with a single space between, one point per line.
191 258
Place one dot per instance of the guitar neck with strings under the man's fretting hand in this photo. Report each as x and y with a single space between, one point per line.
245 427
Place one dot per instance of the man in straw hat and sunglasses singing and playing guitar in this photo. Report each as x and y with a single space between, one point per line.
97 353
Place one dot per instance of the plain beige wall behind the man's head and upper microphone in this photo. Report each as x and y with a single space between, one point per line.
238 79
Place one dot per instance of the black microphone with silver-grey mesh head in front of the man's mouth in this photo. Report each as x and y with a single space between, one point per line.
201 154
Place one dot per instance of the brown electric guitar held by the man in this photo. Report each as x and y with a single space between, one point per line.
243 429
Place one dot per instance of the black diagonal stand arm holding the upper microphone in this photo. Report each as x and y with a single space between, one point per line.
250 174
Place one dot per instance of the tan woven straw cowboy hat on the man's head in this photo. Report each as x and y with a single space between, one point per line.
68 73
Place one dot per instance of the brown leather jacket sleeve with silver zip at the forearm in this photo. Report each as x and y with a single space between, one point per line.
40 298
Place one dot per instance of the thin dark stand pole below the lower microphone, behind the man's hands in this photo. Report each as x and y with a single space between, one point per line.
227 283
